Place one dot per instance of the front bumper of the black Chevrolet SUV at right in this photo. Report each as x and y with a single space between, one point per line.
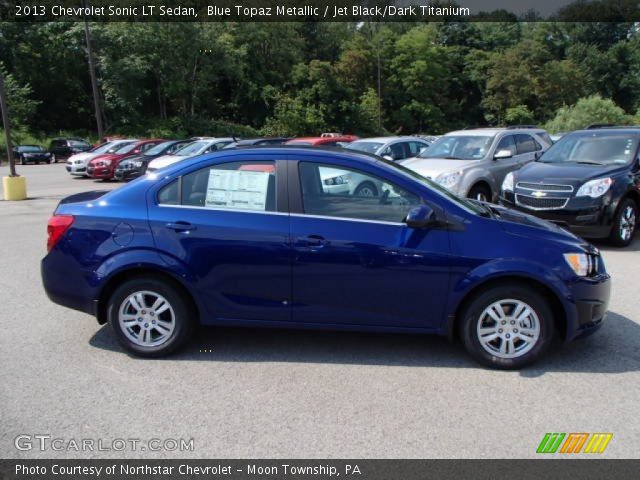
583 217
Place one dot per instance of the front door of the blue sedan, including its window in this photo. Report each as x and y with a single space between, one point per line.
354 260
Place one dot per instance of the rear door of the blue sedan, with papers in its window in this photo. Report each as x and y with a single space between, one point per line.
226 230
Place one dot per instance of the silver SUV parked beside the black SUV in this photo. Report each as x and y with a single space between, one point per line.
473 163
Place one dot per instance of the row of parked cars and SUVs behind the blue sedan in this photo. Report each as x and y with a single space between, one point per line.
588 181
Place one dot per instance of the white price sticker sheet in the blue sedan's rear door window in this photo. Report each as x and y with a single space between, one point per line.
245 190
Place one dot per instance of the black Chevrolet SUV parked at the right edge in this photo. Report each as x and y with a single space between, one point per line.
588 182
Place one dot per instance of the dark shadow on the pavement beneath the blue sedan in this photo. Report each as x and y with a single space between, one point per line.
613 349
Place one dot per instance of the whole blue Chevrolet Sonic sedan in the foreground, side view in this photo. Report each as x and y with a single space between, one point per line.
255 237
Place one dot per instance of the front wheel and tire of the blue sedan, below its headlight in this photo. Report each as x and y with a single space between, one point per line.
509 300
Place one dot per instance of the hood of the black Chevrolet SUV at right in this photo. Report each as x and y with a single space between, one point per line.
564 173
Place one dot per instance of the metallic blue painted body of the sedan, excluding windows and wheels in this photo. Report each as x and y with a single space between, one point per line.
245 268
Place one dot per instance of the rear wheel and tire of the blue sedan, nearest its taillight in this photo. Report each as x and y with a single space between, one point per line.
175 323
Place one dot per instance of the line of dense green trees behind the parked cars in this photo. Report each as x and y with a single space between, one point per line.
180 79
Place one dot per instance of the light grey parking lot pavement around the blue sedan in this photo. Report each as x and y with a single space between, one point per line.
252 393
